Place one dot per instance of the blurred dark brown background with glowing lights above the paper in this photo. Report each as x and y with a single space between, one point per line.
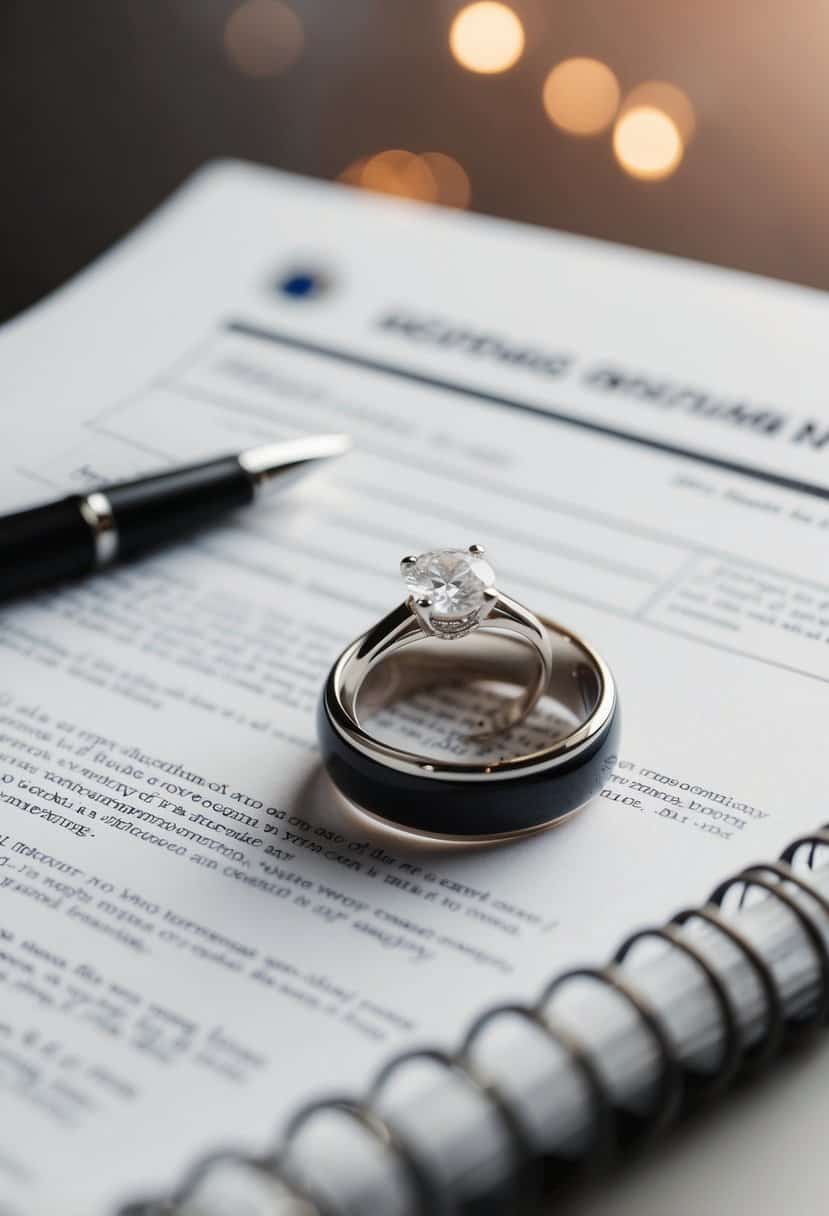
701 130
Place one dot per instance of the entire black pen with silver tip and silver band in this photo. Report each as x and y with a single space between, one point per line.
89 532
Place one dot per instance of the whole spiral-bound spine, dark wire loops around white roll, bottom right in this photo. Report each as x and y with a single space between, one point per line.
572 1084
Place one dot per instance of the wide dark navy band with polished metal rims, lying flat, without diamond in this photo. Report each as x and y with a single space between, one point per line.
470 802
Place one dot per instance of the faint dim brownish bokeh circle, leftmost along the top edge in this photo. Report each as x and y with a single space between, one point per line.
263 38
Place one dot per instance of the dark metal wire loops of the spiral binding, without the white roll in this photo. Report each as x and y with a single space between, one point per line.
678 1086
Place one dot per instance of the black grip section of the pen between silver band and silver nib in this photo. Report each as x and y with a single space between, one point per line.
156 510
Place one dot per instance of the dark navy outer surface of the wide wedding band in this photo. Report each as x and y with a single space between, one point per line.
465 808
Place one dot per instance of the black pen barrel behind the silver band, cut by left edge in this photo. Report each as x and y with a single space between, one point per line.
44 545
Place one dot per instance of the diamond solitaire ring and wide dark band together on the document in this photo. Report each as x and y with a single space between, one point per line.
559 767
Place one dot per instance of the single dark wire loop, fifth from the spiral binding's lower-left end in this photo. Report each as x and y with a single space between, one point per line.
672 1088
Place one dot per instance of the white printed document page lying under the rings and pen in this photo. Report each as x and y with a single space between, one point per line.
195 934
